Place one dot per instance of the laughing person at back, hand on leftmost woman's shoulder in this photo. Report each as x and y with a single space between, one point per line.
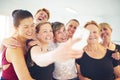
42 15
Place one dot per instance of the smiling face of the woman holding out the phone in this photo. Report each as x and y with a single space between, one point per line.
45 34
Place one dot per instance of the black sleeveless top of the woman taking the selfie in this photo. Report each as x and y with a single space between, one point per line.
37 72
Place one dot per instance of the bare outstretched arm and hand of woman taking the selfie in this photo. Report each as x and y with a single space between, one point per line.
62 53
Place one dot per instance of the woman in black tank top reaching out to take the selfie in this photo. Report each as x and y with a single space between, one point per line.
41 62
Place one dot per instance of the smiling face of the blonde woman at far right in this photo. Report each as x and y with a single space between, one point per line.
105 33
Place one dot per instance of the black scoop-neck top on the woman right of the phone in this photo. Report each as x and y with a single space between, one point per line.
98 69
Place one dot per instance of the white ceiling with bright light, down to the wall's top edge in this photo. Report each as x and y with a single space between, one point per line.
64 8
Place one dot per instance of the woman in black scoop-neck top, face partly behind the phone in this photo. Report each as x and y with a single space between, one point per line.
96 62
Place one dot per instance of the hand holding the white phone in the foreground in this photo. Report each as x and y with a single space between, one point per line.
65 51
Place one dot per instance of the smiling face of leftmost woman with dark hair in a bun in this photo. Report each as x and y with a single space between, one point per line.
26 28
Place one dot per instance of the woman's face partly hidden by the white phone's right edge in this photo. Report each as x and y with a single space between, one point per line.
94 33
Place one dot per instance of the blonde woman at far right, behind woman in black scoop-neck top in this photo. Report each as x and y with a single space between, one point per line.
105 34
